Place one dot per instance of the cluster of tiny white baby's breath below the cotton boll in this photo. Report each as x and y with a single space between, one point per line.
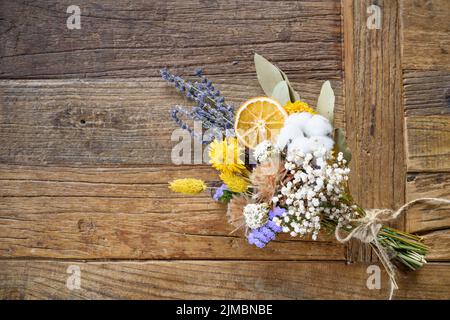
317 180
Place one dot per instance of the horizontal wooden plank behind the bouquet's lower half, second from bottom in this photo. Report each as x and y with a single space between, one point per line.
126 213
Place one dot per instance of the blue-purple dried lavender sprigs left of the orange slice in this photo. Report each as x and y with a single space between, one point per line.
211 108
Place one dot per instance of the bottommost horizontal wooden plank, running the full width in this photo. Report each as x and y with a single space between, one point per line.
213 280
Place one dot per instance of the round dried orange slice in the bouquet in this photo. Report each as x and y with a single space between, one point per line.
259 119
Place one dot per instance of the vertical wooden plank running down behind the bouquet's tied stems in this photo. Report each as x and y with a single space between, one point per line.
373 109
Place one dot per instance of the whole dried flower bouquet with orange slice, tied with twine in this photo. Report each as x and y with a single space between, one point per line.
295 178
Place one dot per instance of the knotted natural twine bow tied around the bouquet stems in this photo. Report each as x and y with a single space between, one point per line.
370 225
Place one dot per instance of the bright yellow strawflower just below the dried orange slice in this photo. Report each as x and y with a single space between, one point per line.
225 156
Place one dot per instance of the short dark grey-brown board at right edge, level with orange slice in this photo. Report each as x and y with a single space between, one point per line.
426 92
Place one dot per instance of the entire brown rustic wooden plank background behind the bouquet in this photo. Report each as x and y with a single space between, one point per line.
85 141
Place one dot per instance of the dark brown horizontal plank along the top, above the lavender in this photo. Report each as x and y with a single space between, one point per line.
134 39
